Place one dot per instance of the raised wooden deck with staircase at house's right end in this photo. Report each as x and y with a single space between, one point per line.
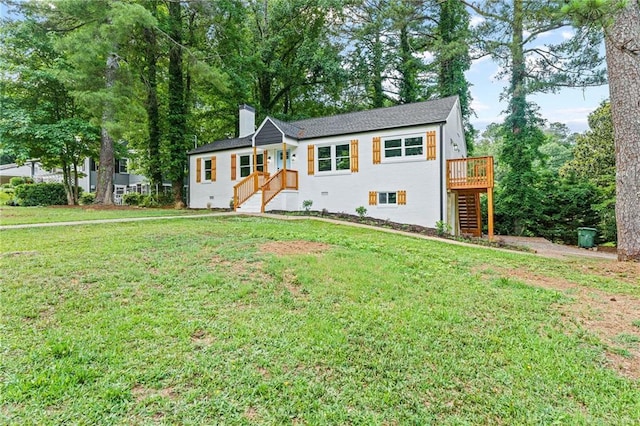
468 178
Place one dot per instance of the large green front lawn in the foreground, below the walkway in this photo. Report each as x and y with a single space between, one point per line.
190 322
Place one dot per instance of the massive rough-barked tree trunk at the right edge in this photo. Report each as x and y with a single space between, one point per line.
623 64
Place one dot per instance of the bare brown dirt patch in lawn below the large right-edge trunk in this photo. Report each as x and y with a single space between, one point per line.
613 318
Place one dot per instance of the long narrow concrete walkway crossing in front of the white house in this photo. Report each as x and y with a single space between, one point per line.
540 246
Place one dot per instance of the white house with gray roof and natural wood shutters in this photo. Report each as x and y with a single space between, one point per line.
392 161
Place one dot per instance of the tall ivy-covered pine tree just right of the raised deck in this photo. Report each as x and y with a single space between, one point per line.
509 34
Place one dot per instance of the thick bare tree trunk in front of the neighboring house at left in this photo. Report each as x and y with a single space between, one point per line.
104 184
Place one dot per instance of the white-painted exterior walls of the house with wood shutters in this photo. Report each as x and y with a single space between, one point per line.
344 191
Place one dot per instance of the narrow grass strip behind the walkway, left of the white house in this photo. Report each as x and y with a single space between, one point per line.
26 215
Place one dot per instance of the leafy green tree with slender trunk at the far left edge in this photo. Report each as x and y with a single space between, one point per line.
40 117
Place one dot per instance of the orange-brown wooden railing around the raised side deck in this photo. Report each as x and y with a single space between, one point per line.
470 173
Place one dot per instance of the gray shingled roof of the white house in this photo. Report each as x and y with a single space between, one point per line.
415 114
